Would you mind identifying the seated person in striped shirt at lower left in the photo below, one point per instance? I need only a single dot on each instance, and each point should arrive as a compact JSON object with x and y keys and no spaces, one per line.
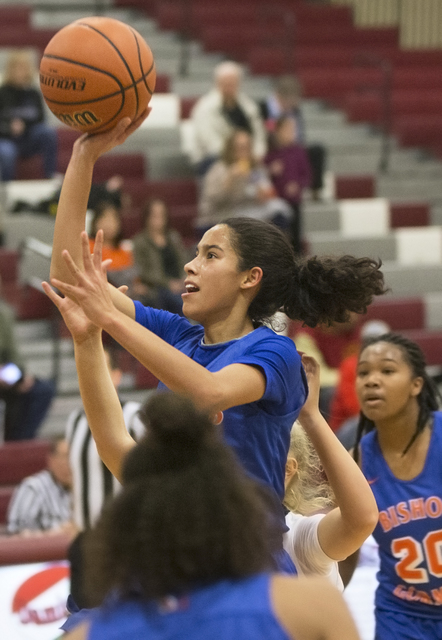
{"x":43,"y":502}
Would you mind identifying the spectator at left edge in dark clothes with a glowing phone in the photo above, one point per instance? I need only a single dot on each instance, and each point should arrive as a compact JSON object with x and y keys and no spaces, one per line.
{"x":27,"y":398}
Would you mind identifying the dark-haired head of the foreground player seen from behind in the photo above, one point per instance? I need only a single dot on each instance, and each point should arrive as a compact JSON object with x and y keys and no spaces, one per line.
{"x":187,"y":514}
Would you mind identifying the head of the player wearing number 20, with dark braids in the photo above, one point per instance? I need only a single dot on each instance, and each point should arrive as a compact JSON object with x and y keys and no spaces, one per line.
{"x":392,"y":381}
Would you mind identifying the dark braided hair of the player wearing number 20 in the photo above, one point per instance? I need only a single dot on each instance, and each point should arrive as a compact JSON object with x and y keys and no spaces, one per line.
{"x":428,"y":399}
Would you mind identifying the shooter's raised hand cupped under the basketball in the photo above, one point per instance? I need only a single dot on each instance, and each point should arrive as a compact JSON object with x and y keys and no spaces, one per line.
{"x":96,"y":144}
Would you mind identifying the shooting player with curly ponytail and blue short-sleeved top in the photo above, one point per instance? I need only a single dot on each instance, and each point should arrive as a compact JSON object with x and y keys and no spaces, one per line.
{"x":227,"y":360}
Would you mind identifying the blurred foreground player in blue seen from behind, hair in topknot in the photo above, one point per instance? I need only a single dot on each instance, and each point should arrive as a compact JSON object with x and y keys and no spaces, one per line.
{"x":186,"y":549}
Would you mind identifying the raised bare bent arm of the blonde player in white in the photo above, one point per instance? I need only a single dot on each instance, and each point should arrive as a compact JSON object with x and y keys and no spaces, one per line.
{"x":343,"y":530}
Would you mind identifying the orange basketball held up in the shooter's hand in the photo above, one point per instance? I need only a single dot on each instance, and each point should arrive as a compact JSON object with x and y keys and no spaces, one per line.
{"x":96,"y":71}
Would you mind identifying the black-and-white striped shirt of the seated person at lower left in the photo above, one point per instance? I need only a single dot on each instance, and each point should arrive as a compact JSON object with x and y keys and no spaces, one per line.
{"x":39,"y":503}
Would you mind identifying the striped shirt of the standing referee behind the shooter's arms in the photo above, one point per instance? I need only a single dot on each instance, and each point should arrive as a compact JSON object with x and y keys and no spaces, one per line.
{"x":92,"y":481}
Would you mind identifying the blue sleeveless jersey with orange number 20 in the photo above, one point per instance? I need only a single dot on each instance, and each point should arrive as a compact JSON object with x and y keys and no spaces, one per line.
{"x":409,"y":529}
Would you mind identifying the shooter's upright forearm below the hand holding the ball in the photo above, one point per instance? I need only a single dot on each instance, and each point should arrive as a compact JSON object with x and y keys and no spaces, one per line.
{"x":71,"y":214}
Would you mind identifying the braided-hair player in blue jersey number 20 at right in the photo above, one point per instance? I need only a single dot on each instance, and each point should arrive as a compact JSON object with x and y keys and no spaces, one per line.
{"x":400,"y":456}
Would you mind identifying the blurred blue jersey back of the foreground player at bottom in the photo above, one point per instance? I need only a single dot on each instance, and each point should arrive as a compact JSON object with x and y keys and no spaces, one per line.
{"x":237,"y":610}
